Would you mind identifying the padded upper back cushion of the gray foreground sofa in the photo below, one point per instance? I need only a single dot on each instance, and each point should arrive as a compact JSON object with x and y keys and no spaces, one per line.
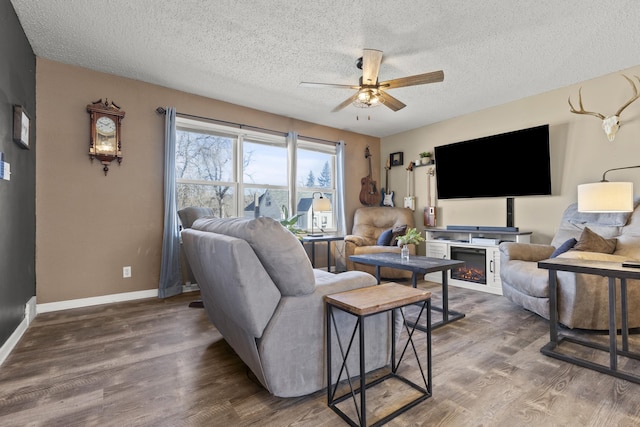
{"x":279,"y":251}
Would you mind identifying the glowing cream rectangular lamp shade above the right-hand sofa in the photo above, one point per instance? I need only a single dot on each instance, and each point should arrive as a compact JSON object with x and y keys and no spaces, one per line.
{"x":605,"y":197}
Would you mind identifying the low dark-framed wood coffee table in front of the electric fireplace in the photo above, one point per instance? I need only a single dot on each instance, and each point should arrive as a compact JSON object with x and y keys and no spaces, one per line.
{"x":417,"y":265}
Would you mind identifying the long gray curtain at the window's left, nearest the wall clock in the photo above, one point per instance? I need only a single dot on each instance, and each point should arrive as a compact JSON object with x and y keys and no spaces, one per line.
{"x":170,"y":275}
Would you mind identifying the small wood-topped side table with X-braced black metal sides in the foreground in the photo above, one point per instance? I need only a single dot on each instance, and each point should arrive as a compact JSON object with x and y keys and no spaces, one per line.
{"x":362,"y":303}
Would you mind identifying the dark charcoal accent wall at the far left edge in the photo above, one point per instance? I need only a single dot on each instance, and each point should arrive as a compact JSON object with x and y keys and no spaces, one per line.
{"x":17,"y":196}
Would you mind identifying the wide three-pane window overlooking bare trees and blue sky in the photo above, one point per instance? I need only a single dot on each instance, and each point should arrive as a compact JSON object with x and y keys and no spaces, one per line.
{"x":241,"y":173}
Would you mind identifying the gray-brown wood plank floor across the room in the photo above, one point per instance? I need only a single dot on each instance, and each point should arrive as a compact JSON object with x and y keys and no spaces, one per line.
{"x":159,"y":363}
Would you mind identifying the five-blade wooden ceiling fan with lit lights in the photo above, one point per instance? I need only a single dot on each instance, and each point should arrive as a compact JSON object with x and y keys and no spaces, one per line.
{"x":370,"y":92}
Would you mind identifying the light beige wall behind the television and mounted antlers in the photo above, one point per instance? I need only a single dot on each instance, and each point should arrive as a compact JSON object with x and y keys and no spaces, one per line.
{"x":580,"y":153}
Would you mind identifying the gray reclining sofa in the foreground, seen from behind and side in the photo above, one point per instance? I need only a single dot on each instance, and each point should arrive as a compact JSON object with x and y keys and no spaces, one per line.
{"x":262,"y":294}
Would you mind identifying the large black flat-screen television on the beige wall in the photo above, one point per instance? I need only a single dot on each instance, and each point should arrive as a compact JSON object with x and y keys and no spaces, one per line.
{"x":505,"y":165}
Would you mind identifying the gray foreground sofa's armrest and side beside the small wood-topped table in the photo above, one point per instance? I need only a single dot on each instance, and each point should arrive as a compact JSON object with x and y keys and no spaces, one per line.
{"x":292,"y":348}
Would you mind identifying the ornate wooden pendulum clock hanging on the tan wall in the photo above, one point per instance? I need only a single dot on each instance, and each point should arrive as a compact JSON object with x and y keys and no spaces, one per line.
{"x":105,"y":132}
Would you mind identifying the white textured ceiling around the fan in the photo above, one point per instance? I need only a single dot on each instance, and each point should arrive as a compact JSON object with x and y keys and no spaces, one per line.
{"x":255,"y":53}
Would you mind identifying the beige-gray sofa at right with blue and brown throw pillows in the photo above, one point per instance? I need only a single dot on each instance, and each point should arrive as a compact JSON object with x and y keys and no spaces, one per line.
{"x":582,"y":298}
